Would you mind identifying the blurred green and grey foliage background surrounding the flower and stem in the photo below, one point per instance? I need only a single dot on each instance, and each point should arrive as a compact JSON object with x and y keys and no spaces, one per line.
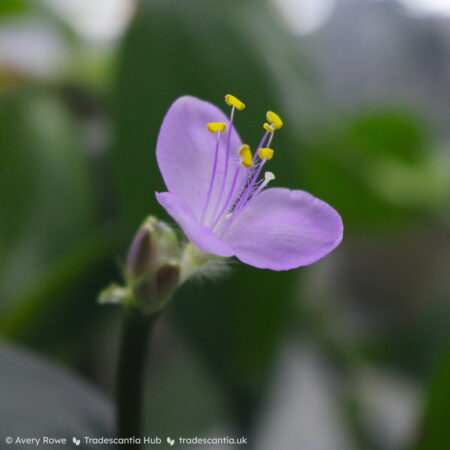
{"x":350,"y":353}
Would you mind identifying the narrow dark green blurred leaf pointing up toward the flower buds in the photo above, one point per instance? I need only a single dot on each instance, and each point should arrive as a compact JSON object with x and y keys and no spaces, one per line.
{"x":40,"y":306}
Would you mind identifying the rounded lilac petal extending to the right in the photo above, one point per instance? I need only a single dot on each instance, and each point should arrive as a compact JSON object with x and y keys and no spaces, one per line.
{"x":283,"y":229}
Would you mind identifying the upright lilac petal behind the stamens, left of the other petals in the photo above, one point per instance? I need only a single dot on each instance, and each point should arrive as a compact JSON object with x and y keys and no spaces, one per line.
{"x":185,"y":152}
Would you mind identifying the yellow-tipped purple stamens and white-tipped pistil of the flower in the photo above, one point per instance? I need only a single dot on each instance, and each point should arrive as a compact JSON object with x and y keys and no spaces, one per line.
{"x":242,"y":190}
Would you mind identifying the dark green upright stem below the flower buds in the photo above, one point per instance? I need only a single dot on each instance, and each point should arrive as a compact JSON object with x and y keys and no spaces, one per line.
{"x":137,"y":328}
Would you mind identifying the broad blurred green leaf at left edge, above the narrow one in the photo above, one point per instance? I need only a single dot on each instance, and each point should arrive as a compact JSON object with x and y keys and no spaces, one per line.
{"x":45,"y":190}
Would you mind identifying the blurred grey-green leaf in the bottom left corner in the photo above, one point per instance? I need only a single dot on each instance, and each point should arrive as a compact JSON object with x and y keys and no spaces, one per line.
{"x":39,"y":399}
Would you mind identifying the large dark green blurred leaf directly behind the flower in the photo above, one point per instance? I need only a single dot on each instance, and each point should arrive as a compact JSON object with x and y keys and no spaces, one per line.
{"x":176,"y":48}
